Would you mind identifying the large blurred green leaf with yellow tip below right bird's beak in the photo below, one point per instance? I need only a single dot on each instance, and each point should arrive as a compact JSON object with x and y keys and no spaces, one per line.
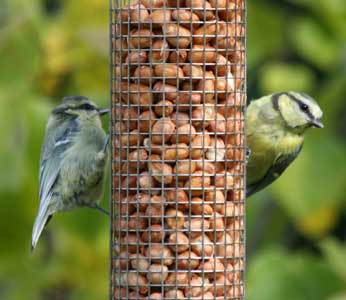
{"x":302,"y":189}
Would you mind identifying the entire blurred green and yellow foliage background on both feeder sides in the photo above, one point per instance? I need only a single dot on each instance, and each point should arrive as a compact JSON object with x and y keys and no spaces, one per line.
{"x":296,"y":228}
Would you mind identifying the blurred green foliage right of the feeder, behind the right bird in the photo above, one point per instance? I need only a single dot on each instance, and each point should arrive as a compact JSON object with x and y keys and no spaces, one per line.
{"x":307,"y":53}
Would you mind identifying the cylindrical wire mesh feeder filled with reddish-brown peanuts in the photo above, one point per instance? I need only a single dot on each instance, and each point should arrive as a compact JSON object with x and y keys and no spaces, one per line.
{"x":178,"y":75}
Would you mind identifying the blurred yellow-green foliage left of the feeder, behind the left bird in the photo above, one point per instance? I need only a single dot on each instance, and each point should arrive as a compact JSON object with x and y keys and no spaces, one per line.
{"x":42,"y":58}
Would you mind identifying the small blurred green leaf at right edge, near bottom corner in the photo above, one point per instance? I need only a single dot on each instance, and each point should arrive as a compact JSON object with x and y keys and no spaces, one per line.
{"x":335,"y":253}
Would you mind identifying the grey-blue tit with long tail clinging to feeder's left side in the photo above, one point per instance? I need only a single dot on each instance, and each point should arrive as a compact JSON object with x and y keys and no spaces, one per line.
{"x":73,"y":160}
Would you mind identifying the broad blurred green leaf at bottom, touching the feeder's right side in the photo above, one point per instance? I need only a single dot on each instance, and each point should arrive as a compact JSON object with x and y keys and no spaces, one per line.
{"x":276,"y":274}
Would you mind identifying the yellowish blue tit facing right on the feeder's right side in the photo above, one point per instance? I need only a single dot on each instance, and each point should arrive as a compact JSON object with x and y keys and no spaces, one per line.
{"x":275,"y":134}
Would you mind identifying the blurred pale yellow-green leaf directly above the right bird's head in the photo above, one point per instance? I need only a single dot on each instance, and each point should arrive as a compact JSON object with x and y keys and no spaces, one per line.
{"x":276,"y":77}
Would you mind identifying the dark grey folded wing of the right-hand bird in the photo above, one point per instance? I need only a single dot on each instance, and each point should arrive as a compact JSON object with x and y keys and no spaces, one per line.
{"x":279,"y":166}
